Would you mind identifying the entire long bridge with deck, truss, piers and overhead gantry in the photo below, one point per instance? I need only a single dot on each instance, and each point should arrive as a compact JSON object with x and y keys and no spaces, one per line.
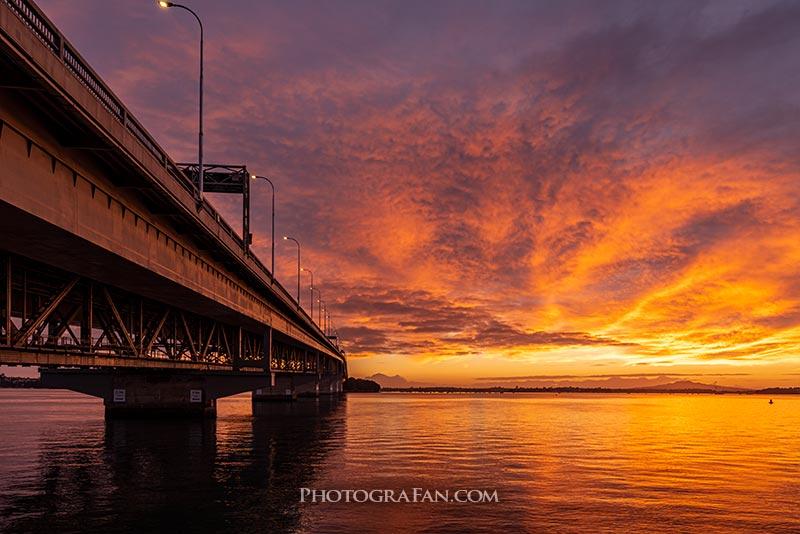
{"x":116,"y":280}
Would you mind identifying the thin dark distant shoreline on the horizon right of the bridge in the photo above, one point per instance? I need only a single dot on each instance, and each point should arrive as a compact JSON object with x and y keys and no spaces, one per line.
{"x":765,"y":391}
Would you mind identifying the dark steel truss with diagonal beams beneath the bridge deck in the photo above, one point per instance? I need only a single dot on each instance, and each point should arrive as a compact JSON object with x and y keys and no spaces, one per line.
{"x":45,"y":309}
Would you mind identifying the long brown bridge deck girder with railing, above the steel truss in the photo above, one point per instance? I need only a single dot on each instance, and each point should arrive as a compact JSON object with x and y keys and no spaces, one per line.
{"x":84,"y":188}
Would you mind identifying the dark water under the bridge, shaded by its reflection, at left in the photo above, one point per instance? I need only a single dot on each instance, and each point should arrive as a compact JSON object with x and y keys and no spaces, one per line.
{"x":65,"y":469}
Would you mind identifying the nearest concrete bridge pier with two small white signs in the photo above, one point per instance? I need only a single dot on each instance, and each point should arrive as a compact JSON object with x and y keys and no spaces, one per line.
{"x":152,"y":393}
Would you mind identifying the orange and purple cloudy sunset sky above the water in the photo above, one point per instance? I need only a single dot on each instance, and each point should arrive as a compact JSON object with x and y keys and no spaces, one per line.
{"x":504,"y":191}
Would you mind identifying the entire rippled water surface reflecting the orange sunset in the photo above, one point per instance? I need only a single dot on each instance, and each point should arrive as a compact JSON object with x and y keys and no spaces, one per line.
{"x":576,"y":463}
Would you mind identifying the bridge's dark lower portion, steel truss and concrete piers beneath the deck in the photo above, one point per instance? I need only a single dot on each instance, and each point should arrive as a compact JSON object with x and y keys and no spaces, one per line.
{"x":141,"y":356}
